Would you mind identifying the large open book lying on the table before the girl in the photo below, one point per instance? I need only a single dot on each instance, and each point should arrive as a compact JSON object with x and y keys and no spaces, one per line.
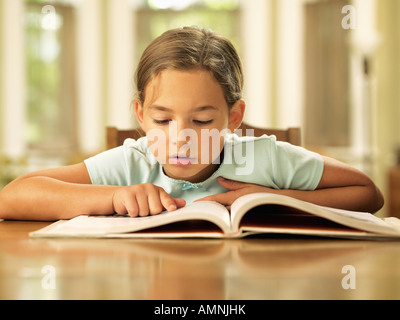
{"x":257,"y":213}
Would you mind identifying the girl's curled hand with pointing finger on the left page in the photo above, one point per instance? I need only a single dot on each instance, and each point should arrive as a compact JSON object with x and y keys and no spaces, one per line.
{"x":144,"y":199}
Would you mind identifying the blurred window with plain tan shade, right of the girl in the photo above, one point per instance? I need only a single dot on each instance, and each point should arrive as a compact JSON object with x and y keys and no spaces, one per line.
{"x":327,"y":66}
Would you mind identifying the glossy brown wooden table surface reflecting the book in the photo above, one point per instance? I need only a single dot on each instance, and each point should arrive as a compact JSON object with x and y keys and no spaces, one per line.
{"x":253,"y":268}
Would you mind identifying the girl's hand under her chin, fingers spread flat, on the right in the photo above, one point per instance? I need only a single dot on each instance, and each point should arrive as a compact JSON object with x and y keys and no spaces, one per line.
{"x":237,"y":189}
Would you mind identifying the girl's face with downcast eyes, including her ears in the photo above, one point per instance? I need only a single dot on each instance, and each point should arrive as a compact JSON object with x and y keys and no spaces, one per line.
{"x":185,"y":117}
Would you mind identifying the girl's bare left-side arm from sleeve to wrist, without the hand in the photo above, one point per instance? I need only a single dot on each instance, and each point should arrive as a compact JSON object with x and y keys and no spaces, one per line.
{"x":59,"y":193}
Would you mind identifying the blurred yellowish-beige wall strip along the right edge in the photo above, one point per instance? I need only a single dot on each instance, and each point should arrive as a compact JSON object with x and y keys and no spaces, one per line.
{"x":387,"y":68}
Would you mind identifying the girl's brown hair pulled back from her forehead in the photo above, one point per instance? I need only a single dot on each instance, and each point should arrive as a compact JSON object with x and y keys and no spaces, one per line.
{"x":192,"y":48}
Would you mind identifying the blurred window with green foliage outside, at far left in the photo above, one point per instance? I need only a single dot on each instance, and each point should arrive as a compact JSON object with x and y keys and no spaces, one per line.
{"x":50,"y":77}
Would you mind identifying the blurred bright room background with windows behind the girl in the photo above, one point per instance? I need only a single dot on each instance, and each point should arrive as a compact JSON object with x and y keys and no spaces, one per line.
{"x":330,"y":67}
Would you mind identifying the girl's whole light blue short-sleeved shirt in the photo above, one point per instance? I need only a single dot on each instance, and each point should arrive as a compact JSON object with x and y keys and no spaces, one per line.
{"x":261,"y":160}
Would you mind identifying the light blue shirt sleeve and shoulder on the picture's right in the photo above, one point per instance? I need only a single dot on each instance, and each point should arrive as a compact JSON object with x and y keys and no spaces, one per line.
{"x":271,"y":163}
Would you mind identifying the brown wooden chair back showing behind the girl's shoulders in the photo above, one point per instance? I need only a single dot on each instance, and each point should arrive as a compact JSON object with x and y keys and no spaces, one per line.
{"x":116,"y":137}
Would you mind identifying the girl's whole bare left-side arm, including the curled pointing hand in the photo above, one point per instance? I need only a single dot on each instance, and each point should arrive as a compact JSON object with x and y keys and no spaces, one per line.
{"x":66,"y":192}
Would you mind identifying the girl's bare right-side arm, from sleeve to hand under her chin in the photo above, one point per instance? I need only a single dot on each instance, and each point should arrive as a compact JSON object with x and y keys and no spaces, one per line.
{"x":341,"y":186}
